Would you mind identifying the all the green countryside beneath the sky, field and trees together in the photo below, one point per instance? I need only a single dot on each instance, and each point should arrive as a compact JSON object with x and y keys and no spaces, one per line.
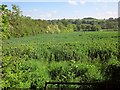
{"x":67,"y":50}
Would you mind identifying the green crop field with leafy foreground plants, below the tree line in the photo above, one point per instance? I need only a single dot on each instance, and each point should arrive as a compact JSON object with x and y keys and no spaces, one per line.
{"x":68,"y":57}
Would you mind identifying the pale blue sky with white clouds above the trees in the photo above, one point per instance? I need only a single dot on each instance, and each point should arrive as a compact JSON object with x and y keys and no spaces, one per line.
{"x":59,"y":9}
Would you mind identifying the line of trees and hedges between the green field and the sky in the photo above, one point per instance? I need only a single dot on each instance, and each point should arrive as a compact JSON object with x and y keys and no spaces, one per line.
{"x":20,"y":26}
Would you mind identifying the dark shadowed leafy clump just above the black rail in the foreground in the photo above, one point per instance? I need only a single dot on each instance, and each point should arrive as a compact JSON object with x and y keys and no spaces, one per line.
{"x":74,"y":72}
